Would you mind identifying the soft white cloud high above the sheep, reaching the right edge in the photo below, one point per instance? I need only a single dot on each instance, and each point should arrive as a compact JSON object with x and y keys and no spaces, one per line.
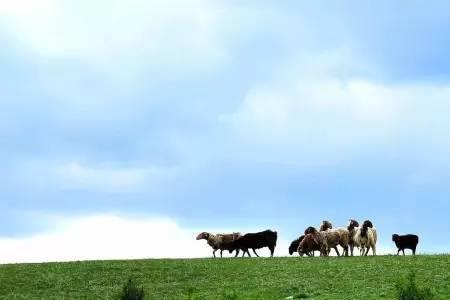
{"x":317,"y":116}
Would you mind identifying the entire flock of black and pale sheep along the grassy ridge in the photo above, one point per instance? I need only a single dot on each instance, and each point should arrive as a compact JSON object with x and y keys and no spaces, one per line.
{"x":325,"y":239}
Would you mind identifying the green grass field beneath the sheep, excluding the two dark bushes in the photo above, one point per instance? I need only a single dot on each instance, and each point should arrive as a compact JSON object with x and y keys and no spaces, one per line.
{"x":263,"y":278}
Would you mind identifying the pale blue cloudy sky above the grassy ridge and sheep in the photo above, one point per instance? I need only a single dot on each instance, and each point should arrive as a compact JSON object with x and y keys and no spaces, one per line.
{"x":155,"y":120}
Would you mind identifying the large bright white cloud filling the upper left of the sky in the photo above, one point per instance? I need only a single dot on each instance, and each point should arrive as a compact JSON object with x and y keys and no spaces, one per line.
{"x":93,"y":60}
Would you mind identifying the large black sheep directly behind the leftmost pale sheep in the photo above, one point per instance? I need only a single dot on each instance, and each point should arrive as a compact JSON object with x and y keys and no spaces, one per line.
{"x":267,"y":238}
